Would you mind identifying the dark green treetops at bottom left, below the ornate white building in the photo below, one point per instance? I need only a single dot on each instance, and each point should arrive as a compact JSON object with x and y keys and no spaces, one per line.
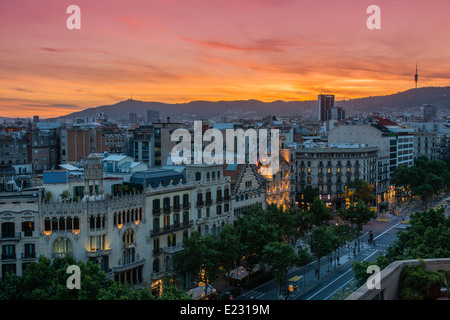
{"x":47,"y":280}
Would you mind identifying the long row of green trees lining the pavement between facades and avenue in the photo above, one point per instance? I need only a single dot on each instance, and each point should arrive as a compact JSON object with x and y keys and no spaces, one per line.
{"x":268,"y":238}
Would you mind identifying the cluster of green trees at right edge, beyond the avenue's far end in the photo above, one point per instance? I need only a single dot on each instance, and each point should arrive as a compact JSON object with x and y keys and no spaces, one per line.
{"x":426,"y":178}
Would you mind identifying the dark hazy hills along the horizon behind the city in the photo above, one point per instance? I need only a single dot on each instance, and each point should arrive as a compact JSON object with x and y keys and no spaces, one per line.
{"x":401,"y":102}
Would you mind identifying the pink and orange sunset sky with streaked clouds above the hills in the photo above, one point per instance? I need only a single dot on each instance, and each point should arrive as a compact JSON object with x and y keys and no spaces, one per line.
{"x":183,"y":50}
